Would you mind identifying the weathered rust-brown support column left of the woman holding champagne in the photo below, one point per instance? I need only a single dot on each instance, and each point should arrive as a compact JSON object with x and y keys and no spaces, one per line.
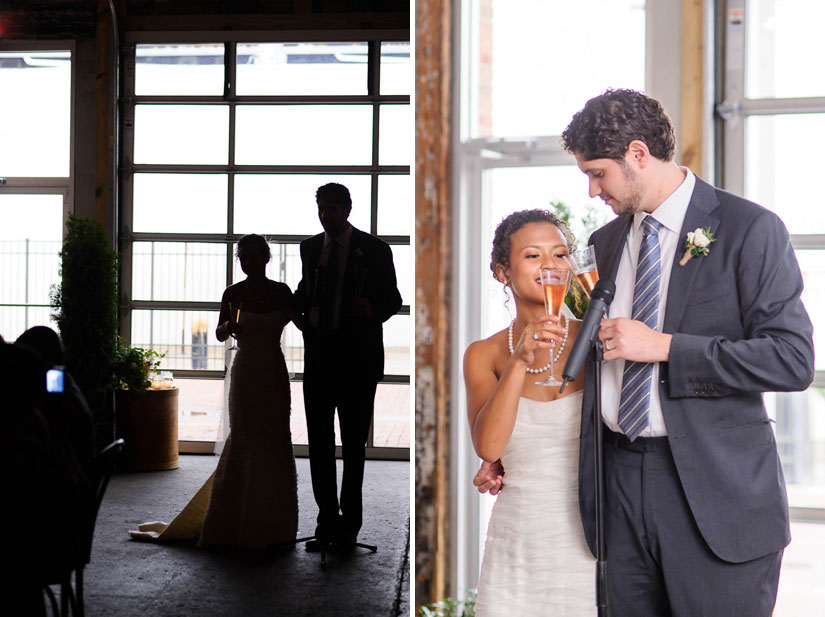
{"x":432,"y":292}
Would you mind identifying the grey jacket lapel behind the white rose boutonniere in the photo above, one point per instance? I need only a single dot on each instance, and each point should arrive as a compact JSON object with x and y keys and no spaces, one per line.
{"x":702,"y":202}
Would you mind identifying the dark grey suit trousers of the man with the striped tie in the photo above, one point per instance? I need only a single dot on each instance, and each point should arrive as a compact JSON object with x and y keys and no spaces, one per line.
{"x":659,"y":565}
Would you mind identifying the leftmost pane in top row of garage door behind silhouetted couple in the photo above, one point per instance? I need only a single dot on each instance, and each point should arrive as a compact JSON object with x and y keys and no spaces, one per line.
{"x":179,"y":69}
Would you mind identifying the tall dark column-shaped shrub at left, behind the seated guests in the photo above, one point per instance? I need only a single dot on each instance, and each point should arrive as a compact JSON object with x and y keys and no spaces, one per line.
{"x":85,"y":303}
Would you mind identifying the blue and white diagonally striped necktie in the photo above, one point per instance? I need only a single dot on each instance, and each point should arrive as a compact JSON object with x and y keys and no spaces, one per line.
{"x":635,"y":398}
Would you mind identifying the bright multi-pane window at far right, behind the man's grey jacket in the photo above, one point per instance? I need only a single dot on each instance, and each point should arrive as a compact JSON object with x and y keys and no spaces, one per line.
{"x":773,"y":113}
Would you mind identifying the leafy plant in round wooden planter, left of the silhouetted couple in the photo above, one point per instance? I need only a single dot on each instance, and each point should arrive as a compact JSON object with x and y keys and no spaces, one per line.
{"x":146,"y":418}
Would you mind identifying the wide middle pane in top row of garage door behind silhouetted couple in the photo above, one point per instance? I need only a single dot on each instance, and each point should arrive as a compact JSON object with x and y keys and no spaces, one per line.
{"x":302,"y":68}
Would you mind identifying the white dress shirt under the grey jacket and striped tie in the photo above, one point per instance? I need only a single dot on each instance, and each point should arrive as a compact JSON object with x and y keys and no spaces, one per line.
{"x":671,"y":214}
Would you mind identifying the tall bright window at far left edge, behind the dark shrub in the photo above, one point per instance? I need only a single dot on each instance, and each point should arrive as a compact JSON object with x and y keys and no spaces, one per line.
{"x":36,"y":81}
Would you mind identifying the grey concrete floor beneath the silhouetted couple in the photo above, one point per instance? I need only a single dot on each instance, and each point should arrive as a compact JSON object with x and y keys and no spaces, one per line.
{"x":127,"y":578}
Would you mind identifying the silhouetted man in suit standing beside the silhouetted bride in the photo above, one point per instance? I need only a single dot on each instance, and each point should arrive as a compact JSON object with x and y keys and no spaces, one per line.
{"x":348,"y":290}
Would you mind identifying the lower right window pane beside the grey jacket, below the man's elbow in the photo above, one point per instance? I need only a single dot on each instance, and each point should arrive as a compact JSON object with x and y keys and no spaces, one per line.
{"x":800,"y":435}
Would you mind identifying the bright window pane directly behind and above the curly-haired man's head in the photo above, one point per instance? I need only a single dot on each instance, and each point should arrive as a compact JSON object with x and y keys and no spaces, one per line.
{"x":533,"y":38}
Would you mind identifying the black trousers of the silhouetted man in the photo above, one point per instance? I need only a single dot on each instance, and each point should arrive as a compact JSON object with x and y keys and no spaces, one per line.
{"x":338,"y":387}
